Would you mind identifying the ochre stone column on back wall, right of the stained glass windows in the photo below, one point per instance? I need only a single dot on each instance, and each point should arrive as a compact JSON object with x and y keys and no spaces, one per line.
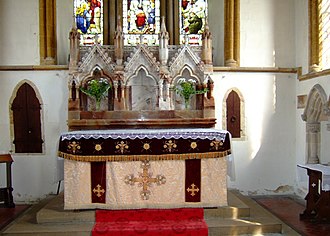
{"x":231,"y":37}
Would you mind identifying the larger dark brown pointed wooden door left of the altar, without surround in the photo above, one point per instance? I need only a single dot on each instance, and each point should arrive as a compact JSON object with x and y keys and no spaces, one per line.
{"x":27,"y":124}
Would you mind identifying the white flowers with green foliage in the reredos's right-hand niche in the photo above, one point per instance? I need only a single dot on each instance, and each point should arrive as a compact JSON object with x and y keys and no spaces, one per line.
{"x":186,"y":89}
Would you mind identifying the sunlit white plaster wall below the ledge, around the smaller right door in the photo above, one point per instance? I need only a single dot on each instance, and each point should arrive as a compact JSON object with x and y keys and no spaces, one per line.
{"x":265,"y":158}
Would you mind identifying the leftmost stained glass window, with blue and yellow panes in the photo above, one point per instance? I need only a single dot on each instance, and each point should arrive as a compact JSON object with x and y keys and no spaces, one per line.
{"x":89,"y":20}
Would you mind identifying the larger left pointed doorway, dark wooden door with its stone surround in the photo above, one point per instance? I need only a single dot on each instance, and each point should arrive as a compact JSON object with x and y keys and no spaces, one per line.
{"x":26,"y":118}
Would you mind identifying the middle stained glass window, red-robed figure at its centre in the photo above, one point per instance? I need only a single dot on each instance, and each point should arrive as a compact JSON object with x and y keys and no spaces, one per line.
{"x":141,"y":21}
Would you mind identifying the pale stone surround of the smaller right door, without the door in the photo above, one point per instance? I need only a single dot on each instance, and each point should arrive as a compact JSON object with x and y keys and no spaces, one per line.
{"x":242,"y":111}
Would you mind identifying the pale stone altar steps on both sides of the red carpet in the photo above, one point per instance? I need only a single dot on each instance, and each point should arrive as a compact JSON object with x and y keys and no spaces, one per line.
{"x":236,"y":219}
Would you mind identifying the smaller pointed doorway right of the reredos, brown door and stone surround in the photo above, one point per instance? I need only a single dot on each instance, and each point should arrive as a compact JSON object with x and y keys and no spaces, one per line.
{"x":233,"y":113}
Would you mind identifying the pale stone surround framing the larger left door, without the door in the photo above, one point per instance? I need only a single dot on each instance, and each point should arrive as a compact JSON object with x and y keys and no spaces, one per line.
{"x":11,"y":115}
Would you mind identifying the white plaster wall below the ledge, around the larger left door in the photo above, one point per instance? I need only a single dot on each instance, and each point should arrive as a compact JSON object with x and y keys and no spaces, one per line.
{"x":35,"y":175}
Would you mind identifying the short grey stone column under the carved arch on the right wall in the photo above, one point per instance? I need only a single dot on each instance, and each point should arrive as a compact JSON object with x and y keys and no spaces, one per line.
{"x":313,"y":142}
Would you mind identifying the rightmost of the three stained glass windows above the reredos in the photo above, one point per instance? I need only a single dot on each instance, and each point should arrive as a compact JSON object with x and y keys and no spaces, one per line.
{"x":193,"y":14}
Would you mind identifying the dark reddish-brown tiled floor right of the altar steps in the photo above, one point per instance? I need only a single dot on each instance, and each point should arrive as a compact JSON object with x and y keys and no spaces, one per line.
{"x":288,"y":209}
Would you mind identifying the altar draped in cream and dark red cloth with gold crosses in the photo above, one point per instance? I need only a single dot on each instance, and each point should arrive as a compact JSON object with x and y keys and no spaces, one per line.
{"x":145,"y":168}
